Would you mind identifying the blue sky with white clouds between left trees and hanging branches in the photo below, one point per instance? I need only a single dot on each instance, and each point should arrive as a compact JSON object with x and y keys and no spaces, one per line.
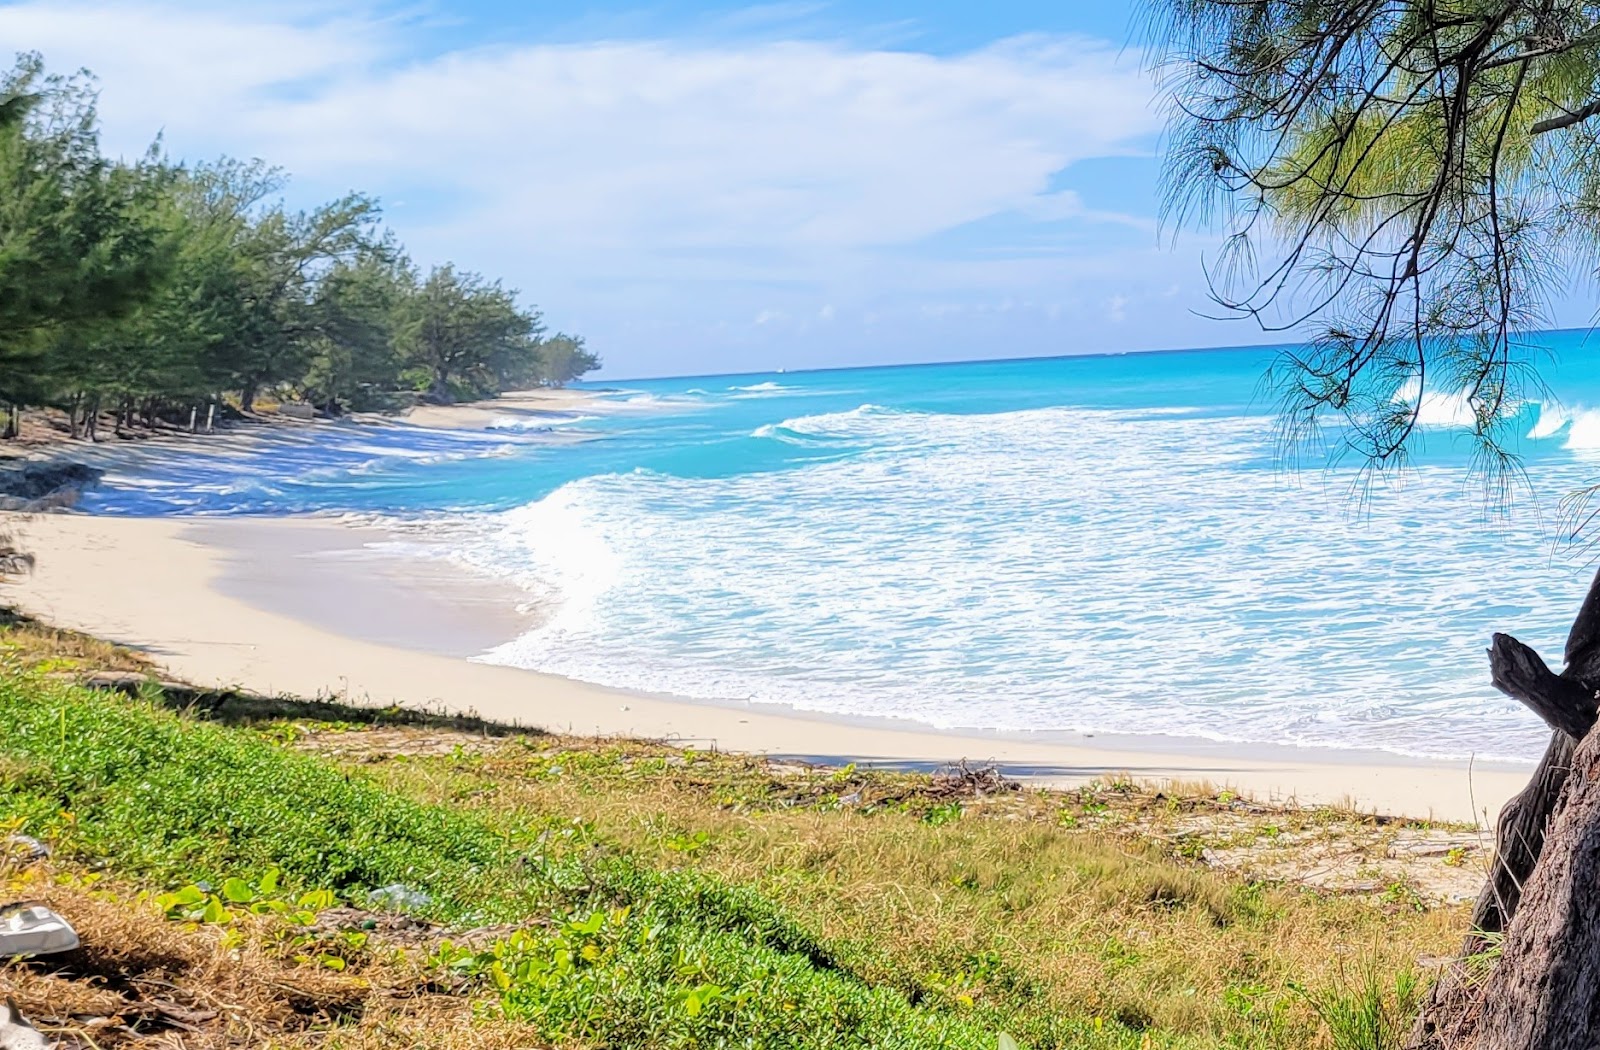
{"x":702,"y":188}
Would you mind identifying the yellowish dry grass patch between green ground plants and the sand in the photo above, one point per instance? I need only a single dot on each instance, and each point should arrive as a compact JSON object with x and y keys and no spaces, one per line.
{"x":1095,"y":900}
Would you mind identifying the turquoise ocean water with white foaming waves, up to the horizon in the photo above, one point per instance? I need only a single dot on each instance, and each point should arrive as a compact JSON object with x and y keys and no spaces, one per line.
{"x":1070,"y":545}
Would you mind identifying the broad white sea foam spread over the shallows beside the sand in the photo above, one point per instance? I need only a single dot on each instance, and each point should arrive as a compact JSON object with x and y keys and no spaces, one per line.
{"x":1036,"y":572}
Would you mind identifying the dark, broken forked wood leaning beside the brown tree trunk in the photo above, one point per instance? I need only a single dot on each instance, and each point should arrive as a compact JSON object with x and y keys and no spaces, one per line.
{"x":1567,"y":703}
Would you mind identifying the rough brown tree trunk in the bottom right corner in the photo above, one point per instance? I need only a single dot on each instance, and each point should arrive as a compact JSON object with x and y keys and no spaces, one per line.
{"x":1545,"y":993}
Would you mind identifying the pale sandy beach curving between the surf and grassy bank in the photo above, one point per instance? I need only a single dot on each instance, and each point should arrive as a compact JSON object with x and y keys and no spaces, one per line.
{"x":302,"y":606}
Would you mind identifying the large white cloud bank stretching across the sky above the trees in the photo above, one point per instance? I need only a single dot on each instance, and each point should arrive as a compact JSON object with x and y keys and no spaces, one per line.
{"x":631,"y":175}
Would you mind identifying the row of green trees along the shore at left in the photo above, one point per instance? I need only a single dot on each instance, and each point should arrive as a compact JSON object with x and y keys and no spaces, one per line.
{"x":151,"y":289}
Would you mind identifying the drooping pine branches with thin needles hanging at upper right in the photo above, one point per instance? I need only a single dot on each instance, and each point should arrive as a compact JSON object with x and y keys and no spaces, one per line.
{"x":1404,"y":180}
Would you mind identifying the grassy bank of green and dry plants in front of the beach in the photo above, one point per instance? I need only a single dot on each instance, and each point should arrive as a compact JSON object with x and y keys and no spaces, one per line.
{"x":620,"y":894}
